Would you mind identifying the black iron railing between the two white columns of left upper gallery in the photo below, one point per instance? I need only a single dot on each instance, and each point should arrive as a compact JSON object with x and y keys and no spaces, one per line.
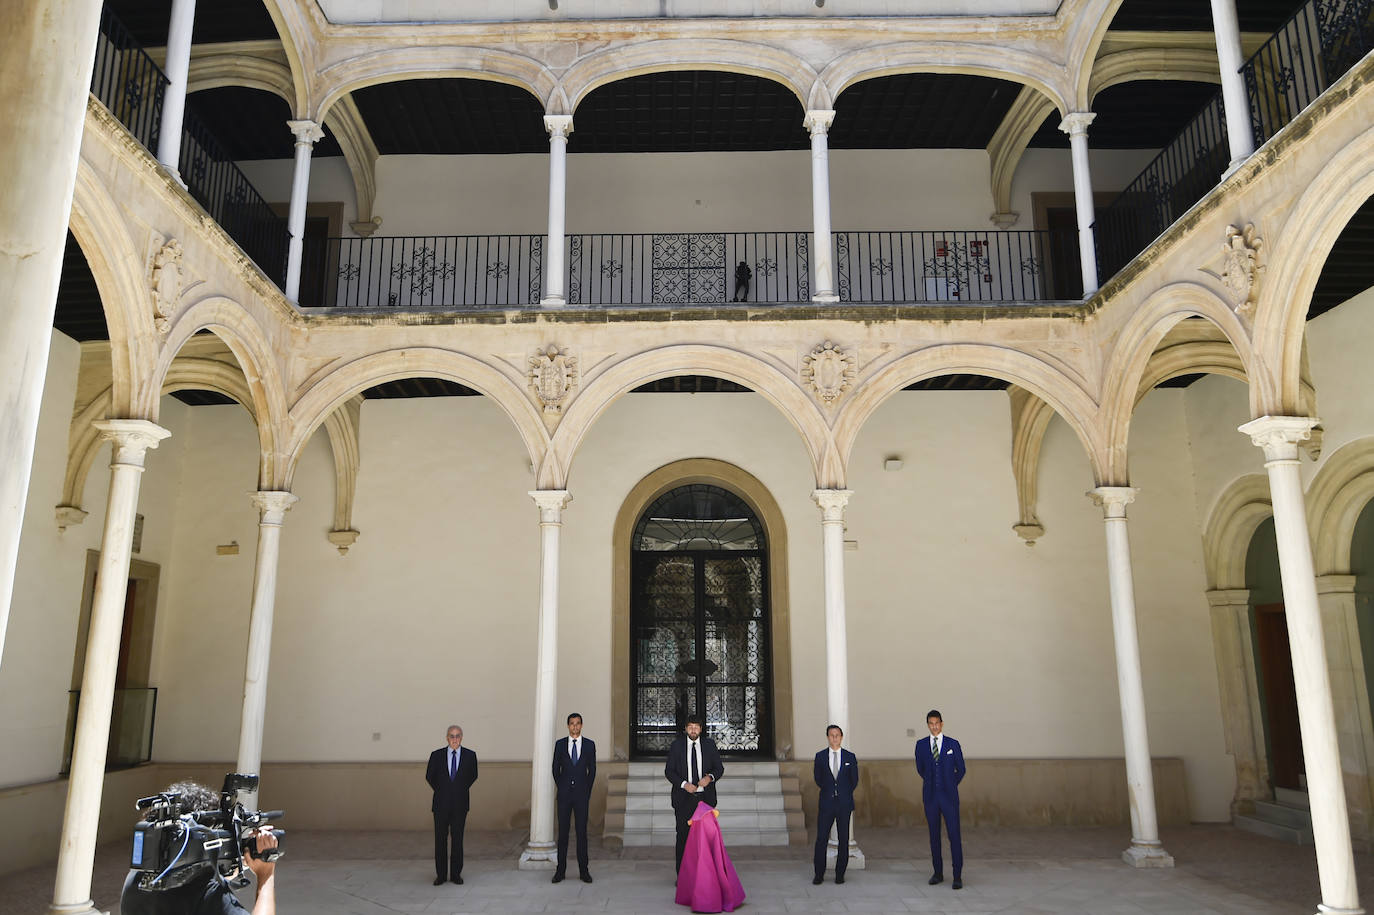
{"x":232,"y":200}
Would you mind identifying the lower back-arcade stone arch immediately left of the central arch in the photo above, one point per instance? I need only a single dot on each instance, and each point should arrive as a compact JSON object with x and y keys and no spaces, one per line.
{"x":335,"y":389}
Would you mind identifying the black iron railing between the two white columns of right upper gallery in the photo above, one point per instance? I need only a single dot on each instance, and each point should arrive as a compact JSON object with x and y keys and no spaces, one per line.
{"x":1178,"y":178}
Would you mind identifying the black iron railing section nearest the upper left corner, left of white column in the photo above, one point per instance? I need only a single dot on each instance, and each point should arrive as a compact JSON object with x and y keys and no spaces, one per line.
{"x":128,"y":82}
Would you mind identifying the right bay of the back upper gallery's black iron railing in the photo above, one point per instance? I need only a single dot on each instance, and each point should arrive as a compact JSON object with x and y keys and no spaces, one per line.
{"x":950,"y":266}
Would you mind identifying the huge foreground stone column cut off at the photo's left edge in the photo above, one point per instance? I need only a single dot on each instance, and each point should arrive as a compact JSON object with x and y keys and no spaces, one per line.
{"x":47,"y":52}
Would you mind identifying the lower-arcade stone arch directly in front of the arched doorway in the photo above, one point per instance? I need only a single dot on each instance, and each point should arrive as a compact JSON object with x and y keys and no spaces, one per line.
{"x":761,"y":377}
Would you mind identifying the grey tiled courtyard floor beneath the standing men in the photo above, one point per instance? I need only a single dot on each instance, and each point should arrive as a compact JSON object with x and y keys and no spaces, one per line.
{"x":1008,"y":870}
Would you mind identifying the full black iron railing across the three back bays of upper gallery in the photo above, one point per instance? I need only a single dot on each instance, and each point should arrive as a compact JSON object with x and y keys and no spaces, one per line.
{"x":689,"y":269}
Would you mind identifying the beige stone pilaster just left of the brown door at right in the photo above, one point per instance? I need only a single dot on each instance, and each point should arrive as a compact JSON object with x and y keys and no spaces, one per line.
{"x":1241,"y":718}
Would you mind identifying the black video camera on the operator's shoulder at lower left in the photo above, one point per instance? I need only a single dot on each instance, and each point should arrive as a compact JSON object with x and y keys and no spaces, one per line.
{"x":170,"y":844}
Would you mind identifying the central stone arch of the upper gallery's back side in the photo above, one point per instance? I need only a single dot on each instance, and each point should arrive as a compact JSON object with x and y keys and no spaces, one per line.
{"x":688,"y":54}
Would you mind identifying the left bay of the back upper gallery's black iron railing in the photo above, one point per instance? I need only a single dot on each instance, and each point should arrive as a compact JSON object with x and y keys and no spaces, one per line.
{"x":429,"y":271}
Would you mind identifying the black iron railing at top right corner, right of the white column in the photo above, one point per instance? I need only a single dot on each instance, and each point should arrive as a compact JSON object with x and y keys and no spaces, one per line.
{"x":1313,"y":50}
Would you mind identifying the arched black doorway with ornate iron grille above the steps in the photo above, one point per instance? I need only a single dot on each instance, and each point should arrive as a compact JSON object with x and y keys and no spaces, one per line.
{"x":700,"y":623}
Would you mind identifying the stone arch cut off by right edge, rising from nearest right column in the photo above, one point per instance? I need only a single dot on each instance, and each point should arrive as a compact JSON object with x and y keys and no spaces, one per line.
{"x":1298,"y":255}
